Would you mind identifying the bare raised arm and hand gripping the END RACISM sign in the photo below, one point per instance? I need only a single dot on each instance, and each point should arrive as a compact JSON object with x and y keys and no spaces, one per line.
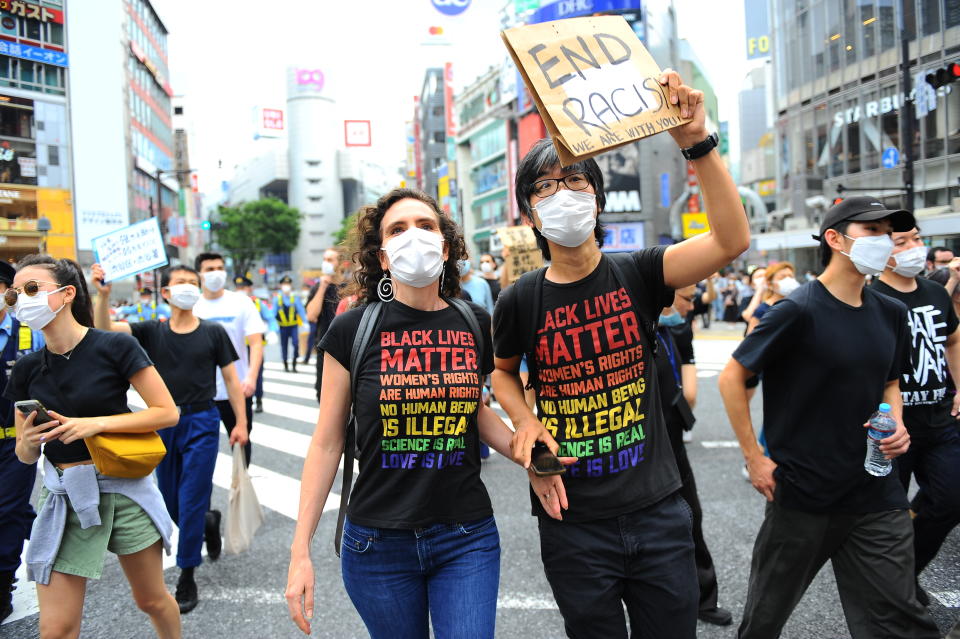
{"x":692,"y":260}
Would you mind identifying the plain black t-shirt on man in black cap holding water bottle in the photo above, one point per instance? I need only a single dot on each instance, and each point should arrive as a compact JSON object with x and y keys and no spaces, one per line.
{"x":825,"y":365}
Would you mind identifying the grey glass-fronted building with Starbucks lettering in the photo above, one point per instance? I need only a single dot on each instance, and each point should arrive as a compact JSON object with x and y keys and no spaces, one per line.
{"x":841,"y":112}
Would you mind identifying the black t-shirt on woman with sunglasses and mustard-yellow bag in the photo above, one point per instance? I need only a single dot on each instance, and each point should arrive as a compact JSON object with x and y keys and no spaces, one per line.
{"x":92,"y":383}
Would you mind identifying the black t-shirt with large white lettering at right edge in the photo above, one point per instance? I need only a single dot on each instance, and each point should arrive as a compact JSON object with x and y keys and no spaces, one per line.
{"x":925,"y":387}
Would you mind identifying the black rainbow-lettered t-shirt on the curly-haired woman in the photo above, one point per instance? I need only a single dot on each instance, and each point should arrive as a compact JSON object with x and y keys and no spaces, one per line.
{"x":416,"y":403}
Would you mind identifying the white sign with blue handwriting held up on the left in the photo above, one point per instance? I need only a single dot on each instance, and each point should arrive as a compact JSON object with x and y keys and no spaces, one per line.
{"x":130,"y":250}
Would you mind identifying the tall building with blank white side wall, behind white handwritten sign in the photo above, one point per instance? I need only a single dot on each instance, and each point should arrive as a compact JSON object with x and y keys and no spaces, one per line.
{"x":121,"y":49}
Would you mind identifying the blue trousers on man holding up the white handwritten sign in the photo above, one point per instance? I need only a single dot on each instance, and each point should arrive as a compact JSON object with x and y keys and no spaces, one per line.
{"x":185,"y":478}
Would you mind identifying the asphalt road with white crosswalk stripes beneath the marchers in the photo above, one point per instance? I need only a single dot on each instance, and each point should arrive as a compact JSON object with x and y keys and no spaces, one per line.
{"x":241,"y":596}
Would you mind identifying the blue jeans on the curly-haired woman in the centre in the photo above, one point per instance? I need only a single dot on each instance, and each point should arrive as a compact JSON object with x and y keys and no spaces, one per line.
{"x":398,"y":580}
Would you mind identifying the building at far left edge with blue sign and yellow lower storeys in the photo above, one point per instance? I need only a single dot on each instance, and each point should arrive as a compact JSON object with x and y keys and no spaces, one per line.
{"x":35,"y":153}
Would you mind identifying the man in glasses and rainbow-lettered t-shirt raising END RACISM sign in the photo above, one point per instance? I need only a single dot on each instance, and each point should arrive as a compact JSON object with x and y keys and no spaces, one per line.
{"x":613,"y":529}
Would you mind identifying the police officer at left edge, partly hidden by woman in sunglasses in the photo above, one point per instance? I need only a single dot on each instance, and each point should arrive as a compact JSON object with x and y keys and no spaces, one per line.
{"x":16,"y":478}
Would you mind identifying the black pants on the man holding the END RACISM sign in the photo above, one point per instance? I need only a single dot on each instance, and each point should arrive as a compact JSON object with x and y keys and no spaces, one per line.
{"x":643,"y":559}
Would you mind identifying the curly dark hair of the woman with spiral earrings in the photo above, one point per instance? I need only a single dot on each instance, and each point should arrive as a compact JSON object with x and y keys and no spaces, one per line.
{"x":365,"y":243}
